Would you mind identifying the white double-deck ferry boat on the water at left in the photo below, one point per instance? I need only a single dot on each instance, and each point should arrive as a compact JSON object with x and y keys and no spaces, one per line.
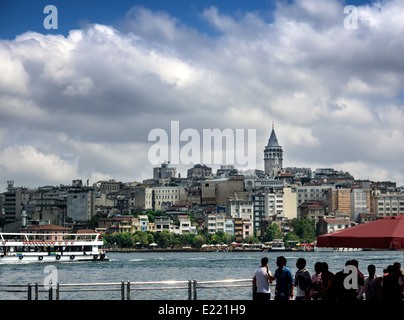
{"x":45,"y":247}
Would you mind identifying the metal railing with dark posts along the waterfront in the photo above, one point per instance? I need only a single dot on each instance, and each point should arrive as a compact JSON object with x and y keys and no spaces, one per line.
{"x":126,"y":290}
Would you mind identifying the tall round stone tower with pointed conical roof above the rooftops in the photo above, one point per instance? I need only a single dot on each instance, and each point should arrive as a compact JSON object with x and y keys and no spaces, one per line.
{"x":273,"y":156}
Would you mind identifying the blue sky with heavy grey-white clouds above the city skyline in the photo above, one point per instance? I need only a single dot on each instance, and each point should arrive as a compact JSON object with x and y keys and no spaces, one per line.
{"x":80,"y":101}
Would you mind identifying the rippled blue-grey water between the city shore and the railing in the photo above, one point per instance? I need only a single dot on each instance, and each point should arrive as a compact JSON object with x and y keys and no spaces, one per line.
{"x":158,"y":266}
